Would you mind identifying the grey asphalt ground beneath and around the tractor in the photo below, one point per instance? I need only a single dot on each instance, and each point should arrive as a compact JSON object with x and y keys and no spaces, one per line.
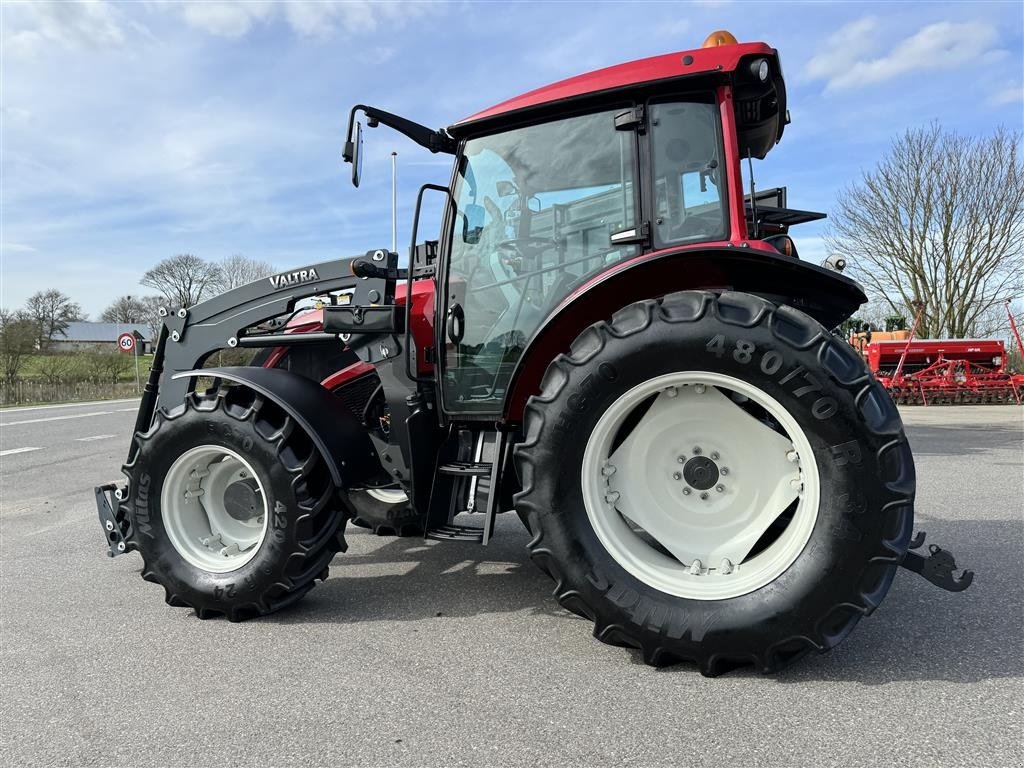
{"x":449,"y":655}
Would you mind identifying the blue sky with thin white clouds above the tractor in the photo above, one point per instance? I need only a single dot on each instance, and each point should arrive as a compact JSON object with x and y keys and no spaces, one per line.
{"x":135,"y":132}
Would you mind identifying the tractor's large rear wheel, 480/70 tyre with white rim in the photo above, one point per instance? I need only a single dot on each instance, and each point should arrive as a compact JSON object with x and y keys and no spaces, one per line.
{"x":681,"y":575}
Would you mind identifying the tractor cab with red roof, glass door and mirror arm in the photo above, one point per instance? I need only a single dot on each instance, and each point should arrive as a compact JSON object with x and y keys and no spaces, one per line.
{"x":559,"y":186}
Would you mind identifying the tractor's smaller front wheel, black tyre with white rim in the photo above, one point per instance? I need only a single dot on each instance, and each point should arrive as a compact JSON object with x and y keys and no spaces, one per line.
{"x":296,"y":497}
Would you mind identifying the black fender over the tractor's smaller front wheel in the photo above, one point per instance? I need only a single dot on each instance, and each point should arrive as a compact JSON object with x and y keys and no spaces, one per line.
{"x":340,"y":439}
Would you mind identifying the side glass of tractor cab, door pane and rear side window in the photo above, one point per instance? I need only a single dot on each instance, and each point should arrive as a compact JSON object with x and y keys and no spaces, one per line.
{"x":537,"y":208}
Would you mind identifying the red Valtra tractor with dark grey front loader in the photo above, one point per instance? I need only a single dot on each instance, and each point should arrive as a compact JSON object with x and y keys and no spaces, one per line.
{"x":609,"y":337}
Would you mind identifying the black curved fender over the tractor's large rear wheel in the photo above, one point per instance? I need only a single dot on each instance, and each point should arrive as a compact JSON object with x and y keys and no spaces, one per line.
{"x":826,"y":295}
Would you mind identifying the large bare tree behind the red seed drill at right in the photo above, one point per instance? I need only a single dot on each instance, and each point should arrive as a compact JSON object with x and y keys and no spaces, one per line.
{"x":940,"y":220}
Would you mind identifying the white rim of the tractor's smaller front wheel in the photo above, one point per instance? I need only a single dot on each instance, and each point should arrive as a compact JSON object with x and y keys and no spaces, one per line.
{"x":195,"y":515}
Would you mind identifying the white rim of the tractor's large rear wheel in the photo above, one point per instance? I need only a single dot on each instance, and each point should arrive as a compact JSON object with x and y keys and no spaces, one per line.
{"x":711,"y":494}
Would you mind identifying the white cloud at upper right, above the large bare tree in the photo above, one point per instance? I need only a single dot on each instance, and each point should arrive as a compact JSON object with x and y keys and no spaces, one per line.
{"x":851,"y":58}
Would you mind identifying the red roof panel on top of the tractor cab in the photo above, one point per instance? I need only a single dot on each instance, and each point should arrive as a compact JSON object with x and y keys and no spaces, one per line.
{"x":721,"y":59}
